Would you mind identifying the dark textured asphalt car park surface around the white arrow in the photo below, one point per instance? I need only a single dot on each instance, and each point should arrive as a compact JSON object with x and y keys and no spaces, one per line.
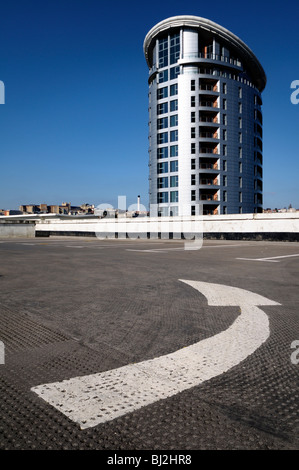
{"x":72,"y":307}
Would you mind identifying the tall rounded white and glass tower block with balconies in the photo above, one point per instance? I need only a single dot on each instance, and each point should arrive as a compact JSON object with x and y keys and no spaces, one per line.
{"x":205,"y":119}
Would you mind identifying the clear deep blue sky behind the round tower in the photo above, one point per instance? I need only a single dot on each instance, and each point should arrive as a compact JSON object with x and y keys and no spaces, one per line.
{"x":74,"y":124}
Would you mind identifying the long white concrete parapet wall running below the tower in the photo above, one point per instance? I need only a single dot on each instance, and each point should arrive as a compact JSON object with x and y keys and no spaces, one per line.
{"x":241,"y":226}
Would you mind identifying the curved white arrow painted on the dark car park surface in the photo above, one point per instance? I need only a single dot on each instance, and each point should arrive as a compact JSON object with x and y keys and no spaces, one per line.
{"x":97,"y":398}
